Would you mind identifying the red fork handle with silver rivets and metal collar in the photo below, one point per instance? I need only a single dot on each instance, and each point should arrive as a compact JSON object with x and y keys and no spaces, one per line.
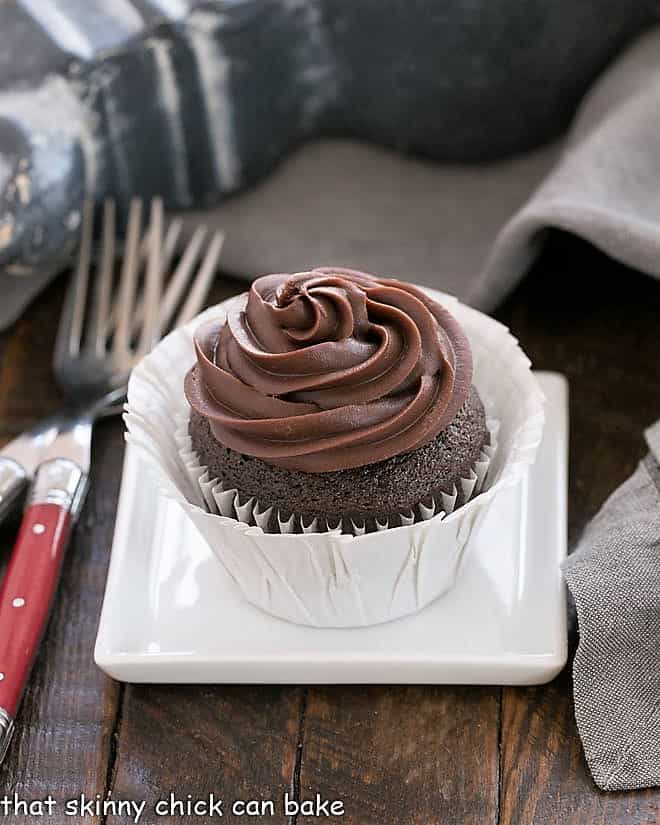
{"x":30,"y":583}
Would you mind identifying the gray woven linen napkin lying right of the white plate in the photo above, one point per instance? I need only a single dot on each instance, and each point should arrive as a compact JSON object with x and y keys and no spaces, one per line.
{"x":614,"y":578}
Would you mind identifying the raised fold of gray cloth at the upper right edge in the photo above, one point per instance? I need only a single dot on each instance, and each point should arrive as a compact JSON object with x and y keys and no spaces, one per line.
{"x":605,"y":185}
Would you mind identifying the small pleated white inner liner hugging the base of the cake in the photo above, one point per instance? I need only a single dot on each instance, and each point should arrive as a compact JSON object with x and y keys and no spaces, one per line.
{"x":229,"y":502}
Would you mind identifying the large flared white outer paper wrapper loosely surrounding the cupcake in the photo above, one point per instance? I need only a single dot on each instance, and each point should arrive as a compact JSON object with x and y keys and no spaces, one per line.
{"x":331,"y":579}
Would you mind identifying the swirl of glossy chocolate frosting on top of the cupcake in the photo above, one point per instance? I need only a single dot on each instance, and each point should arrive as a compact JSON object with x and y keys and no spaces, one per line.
{"x":329,"y":369}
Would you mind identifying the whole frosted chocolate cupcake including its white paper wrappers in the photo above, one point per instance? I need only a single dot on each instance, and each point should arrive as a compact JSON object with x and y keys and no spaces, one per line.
{"x":333,"y":393}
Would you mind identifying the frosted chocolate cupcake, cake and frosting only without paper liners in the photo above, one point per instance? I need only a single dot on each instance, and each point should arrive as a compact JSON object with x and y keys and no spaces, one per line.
{"x":333,"y":396}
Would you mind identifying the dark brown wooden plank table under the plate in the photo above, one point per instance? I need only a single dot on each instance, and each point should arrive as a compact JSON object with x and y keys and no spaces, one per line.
{"x":399,"y":755}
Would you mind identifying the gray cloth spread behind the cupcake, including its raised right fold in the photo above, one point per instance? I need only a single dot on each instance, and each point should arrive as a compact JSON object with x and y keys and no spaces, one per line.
{"x":451,"y":226}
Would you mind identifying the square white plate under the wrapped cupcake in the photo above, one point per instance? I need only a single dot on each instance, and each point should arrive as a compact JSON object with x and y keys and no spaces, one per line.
{"x":172,"y":614}
